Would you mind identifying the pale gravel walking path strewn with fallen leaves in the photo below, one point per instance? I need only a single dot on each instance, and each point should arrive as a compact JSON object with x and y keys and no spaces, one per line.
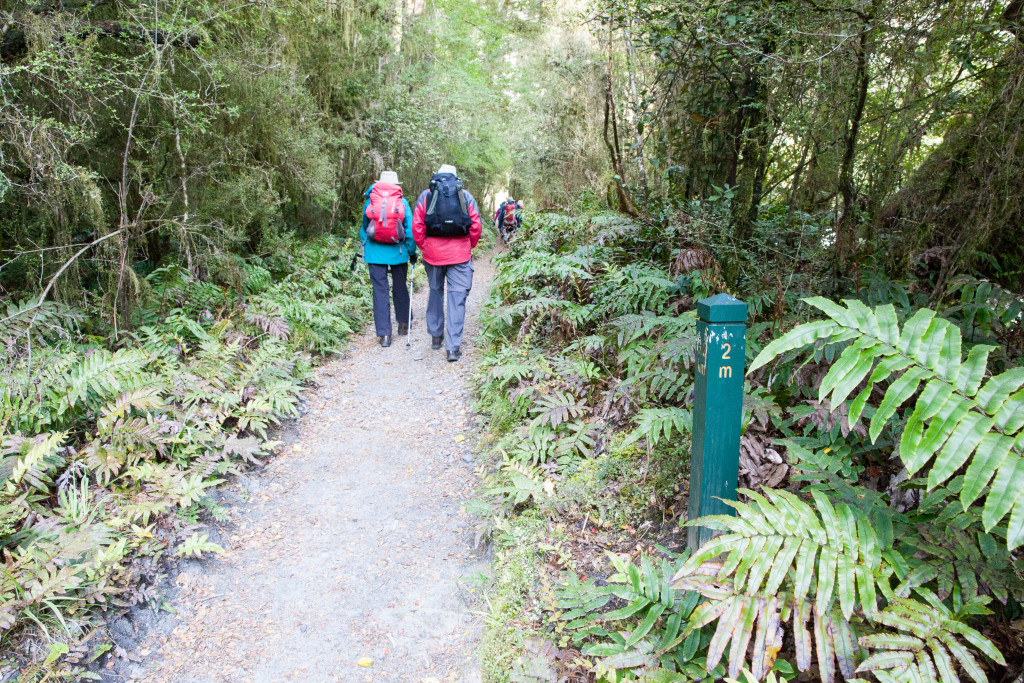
{"x":354,"y":543}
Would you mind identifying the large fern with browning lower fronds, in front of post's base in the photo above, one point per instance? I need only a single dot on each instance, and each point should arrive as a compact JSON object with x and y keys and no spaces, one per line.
{"x":787,"y":561}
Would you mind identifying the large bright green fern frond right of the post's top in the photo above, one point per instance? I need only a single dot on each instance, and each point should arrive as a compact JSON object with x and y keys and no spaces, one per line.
{"x":959,"y":417}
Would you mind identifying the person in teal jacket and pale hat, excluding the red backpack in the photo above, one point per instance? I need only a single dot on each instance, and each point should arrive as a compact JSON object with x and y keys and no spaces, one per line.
{"x":380,"y":259}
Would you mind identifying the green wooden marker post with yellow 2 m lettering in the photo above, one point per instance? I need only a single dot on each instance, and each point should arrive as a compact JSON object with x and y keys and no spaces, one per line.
{"x":718,"y":408}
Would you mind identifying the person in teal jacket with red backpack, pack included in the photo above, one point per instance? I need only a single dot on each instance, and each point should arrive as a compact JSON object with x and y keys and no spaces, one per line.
{"x":388,"y":245}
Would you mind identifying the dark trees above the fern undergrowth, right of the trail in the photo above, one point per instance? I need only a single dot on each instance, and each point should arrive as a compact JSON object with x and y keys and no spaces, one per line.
{"x":897,"y":123}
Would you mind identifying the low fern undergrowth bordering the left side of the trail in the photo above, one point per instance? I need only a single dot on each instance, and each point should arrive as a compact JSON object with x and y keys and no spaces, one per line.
{"x":111,"y":443}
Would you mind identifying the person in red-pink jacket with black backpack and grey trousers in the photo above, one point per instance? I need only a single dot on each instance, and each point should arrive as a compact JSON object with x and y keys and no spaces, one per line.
{"x":447,"y":227}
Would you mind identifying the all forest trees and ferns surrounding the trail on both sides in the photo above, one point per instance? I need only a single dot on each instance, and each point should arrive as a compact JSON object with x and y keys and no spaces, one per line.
{"x":180,"y":185}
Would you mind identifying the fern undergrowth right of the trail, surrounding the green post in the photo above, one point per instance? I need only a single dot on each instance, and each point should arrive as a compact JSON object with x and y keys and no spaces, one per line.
{"x":881,"y":513}
